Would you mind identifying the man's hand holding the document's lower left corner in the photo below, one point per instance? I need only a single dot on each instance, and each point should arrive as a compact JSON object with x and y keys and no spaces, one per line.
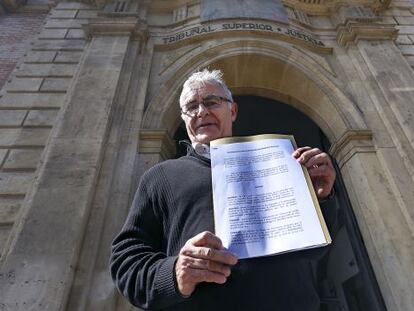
{"x":202,"y":259}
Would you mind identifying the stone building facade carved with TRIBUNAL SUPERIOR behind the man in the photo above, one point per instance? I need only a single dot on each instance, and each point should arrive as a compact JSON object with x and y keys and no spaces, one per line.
{"x":93,"y":104}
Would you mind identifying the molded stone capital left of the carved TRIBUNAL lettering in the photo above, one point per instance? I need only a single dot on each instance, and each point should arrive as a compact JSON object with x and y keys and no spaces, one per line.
{"x":114,"y":26}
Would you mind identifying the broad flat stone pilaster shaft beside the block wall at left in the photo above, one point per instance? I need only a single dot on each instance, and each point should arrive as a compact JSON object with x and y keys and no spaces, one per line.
{"x":38,"y":271}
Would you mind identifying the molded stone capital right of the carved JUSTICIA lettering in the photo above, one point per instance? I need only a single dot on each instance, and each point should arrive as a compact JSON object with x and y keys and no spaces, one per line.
{"x":352,"y":31}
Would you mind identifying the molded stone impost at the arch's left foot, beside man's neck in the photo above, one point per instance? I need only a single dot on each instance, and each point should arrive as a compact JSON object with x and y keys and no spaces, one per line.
{"x":156,"y":141}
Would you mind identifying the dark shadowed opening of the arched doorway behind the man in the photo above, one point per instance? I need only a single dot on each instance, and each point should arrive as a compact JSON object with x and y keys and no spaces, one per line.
{"x":343,"y":274}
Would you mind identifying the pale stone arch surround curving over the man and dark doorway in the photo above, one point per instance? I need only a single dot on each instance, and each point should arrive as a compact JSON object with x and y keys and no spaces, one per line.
{"x":304,"y":80}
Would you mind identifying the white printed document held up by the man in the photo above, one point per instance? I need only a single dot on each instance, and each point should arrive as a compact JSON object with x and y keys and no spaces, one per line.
{"x":264,"y":202}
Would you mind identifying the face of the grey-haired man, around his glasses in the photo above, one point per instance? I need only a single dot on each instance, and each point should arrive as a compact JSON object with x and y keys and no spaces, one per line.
{"x":208,"y":125}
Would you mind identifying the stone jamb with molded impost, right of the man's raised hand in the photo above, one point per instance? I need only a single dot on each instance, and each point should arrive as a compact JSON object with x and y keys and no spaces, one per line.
{"x":381,"y":215}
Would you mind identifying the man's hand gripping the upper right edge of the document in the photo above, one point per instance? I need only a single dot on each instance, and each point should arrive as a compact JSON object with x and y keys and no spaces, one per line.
{"x":320,"y":169}
